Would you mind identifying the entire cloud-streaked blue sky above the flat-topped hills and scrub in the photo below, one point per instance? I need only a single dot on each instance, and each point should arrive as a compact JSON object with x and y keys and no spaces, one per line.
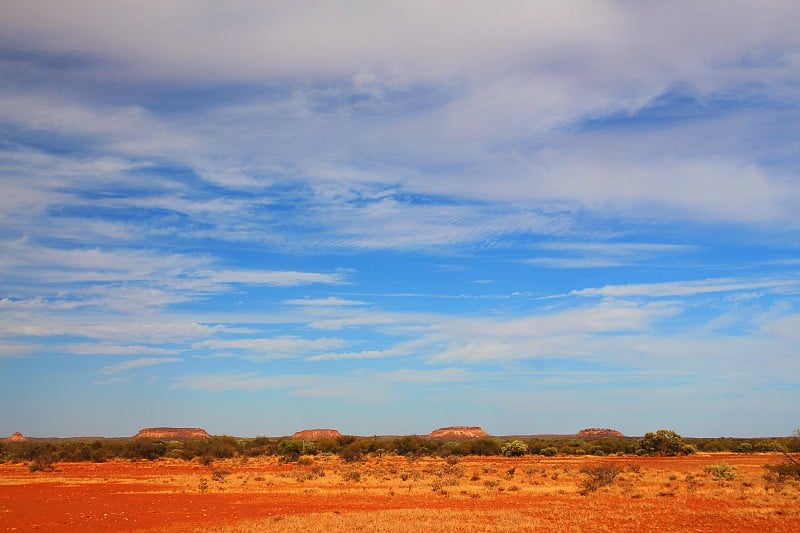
{"x":259,"y":217}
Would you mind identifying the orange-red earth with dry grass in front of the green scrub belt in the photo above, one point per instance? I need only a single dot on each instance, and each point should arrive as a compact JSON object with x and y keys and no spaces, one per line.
{"x":391,"y":494}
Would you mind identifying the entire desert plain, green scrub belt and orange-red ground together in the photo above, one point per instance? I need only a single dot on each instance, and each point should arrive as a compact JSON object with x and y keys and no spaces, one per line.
{"x":384,"y":483}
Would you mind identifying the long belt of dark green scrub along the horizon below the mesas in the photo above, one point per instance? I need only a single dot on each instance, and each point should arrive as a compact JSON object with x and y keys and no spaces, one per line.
{"x":45,"y":452}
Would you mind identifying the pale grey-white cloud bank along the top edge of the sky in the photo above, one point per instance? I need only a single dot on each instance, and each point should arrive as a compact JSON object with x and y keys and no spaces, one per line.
{"x":417,"y":39}
